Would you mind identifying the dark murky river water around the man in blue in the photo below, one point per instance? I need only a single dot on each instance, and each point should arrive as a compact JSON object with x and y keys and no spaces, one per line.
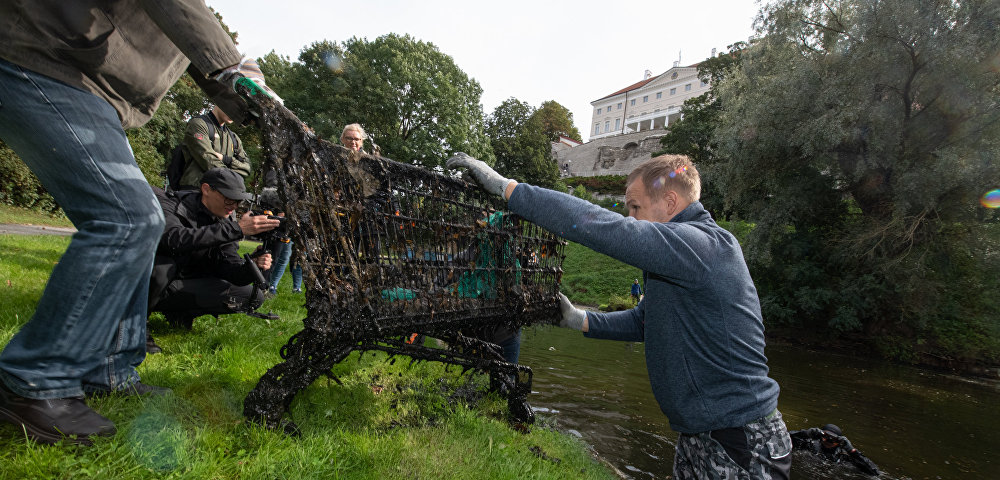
{"x":913,"y":423}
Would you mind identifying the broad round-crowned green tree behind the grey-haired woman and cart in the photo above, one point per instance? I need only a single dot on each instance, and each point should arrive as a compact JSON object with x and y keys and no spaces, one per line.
{"x":412,"y":99}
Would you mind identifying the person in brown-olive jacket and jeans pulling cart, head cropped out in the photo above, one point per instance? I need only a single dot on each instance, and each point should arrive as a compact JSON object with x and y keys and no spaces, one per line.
{"x":73,"y":76}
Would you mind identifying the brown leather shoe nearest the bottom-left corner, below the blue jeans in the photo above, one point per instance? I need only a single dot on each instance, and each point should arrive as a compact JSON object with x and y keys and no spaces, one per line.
{"x":52,"y":420}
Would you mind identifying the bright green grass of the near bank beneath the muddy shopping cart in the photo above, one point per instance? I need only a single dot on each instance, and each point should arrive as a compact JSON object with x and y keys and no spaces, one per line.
{"x":387,"y":420}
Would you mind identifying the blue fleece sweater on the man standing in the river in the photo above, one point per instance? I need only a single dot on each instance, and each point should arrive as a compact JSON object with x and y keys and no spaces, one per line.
{"x":700,"y":318}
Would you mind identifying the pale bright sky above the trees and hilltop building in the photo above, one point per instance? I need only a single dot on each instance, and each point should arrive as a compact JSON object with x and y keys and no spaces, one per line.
{"x":573,"y":52}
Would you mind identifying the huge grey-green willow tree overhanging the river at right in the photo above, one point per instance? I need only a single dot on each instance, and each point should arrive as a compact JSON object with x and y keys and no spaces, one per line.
{"x":858,"y":135}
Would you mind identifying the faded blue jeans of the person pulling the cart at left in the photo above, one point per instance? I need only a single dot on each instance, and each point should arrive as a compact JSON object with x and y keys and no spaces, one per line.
{"x":89,"y":328}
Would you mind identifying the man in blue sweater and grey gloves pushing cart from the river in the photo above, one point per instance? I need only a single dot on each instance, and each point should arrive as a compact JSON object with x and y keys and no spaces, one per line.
{"x":700,"y":317}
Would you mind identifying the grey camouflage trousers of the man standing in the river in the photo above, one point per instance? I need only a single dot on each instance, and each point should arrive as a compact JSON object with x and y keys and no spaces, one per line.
{"x":759,"y":450}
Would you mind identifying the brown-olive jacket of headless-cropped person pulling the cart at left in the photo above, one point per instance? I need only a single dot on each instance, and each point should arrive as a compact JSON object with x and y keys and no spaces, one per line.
{"x":128,"y":52}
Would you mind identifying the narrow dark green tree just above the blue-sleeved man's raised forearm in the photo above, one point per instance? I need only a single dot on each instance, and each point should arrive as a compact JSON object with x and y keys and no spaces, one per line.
{"x":522,"y":149}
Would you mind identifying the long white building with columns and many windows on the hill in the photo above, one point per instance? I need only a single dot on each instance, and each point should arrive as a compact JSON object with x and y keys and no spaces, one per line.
{"x":651,"y":104}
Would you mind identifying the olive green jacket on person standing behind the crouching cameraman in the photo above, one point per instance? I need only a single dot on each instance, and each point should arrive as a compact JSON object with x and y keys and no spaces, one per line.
{"x":201,"y":149}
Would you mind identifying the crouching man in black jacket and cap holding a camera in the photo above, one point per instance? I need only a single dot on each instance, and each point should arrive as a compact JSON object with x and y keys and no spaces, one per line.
{"x":198,"y":269}
